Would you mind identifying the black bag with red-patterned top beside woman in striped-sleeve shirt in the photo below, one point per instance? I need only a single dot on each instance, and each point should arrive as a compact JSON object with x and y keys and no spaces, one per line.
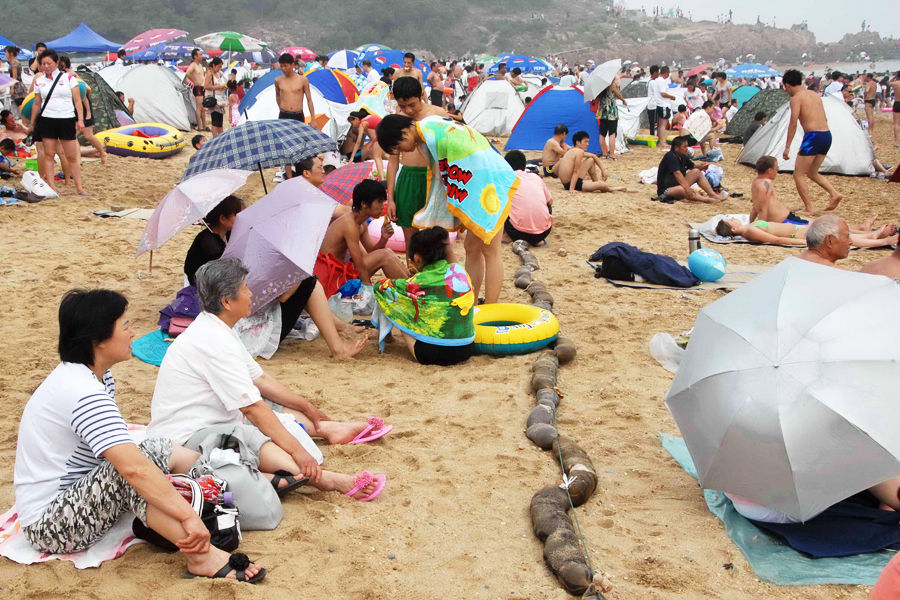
{"x":207,"y":496}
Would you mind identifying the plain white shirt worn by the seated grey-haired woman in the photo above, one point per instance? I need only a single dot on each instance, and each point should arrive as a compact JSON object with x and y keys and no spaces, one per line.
{"x":204,"y":380}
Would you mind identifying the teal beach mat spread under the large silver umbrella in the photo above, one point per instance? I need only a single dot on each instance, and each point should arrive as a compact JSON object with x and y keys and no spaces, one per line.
{"x":771,"y":560}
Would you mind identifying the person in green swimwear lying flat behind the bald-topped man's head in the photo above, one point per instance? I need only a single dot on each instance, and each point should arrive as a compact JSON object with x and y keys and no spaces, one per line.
{"x":795,"y":235}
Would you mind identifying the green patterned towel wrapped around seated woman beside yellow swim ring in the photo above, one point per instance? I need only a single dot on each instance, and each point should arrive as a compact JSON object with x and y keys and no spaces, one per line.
{"x":433,"y":306}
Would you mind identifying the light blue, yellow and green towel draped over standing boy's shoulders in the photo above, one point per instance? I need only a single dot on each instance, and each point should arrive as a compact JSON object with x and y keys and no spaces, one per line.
{"x":468,"y":180}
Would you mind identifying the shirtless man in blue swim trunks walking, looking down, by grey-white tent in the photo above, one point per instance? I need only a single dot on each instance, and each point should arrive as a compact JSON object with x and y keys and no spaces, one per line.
{"x":806,"y":107}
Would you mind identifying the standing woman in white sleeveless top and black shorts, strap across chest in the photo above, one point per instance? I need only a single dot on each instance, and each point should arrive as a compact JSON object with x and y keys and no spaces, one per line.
{"x":56,"y":117}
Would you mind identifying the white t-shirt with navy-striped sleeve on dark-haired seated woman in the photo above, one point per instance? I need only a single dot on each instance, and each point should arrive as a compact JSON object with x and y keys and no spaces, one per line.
{"x":67,"y":424}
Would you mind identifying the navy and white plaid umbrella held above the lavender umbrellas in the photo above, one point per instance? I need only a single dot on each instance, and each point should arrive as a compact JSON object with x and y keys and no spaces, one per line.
{"x":260,"y":144}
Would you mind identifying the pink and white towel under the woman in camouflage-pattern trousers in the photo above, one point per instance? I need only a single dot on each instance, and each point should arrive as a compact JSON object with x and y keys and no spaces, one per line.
{"x":14,"y":545}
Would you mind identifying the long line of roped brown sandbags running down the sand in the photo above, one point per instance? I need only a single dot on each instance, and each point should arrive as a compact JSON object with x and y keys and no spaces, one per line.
{"x":565,"y":552}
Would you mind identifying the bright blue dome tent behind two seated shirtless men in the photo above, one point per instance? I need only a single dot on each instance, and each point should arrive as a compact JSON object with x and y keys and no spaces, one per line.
{"x":550,"y":107}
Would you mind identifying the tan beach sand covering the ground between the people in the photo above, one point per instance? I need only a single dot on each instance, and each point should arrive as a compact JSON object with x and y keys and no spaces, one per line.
{"x":453,"y":521}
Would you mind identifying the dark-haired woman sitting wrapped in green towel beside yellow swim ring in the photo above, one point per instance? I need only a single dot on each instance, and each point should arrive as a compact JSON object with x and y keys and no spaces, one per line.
{"x":433,"y":308}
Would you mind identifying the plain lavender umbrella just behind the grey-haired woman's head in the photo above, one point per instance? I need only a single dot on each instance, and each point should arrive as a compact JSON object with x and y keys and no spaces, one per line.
{"x":278,"y":238}
